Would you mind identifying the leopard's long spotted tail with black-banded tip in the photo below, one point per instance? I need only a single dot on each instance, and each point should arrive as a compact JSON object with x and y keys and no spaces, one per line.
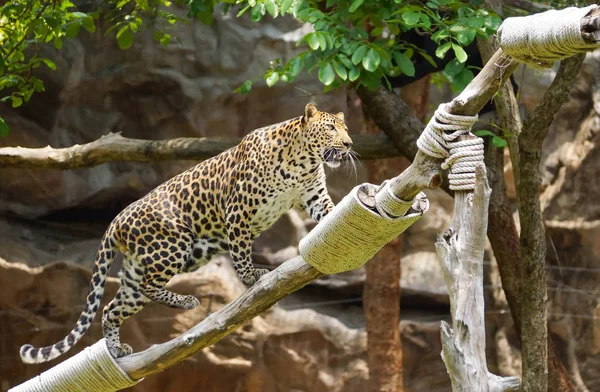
{"x":104,"y":259}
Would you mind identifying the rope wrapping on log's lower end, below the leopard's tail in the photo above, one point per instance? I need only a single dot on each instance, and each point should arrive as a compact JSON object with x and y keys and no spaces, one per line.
{"x":92,"y":370}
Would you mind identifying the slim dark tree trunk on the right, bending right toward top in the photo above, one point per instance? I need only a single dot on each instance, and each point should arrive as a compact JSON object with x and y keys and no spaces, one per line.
{"x":534,"y":331}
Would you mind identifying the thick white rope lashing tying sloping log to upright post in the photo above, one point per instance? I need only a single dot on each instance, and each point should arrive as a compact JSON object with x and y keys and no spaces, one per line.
{"x":440,"y":140}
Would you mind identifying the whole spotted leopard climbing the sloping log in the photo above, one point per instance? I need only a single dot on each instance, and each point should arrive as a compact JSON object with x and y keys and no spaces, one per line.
{"x":219,"y":205}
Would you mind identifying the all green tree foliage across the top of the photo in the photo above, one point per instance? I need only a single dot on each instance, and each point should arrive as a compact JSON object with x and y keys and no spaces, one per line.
{"x":354,"y":41}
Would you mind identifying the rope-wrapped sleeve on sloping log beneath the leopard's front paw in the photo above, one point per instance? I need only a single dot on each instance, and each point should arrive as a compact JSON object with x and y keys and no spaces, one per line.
{"x":360,"y":232}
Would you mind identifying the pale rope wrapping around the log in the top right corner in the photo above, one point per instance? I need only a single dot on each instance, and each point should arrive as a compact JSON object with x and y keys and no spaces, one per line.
{"x":541,"y":39}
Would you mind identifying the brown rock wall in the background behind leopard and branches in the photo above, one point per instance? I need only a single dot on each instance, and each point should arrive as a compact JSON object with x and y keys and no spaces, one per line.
{"x":314,"y":340}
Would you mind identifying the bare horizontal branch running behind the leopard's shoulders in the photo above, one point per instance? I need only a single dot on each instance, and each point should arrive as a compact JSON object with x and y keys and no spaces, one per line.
{"x":114,"y":147}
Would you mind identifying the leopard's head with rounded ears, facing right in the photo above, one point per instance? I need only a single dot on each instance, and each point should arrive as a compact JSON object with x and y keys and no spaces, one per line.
{"x":326,"y":135}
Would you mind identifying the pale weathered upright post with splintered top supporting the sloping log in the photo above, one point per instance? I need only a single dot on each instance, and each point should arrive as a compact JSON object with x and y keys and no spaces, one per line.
{"x":460,"y":251}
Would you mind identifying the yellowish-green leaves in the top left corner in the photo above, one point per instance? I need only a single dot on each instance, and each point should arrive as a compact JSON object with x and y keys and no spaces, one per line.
{"x":27,"y":26}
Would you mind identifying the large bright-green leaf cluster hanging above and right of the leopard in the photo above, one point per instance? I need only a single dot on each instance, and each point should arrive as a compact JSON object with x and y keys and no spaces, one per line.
{"x":362,"y":41}
